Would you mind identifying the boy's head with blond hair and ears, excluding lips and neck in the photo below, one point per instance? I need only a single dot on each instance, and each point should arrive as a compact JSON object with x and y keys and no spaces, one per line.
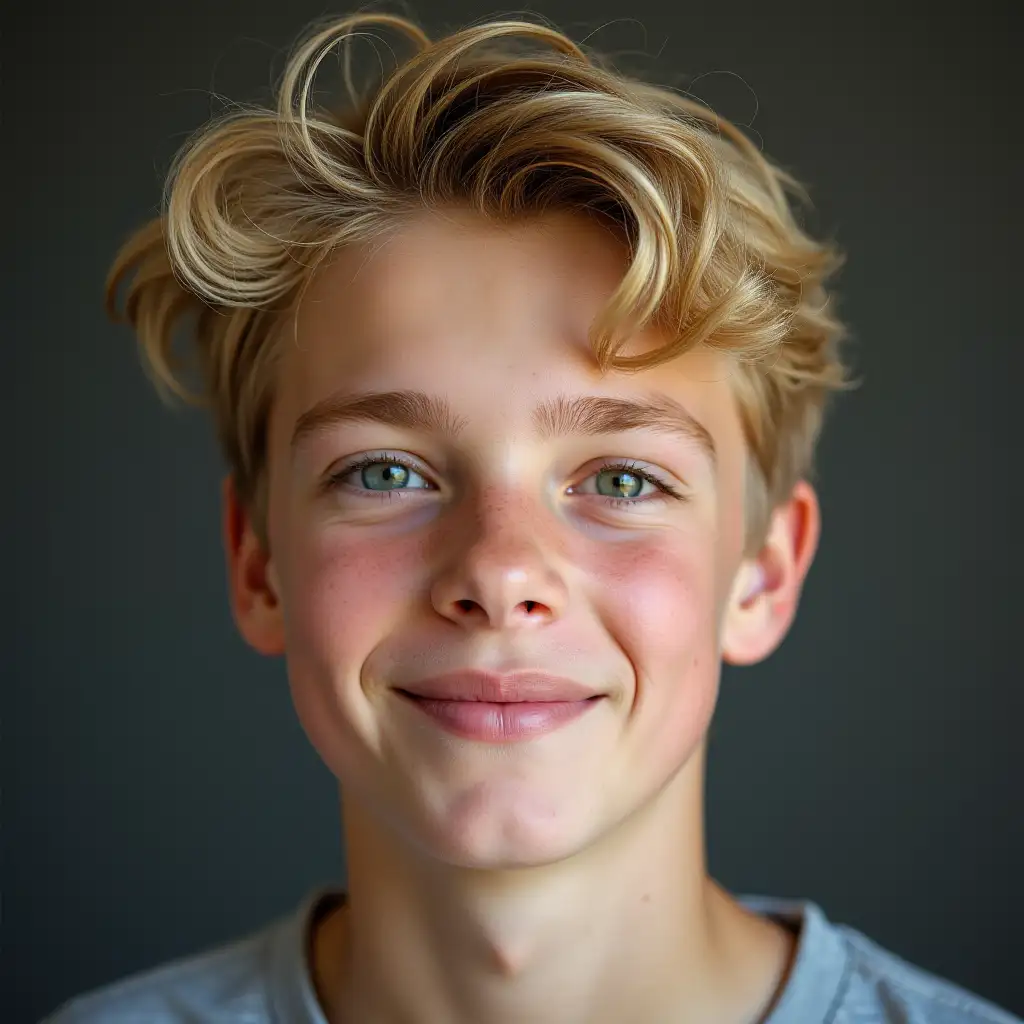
{"x":517,"y":364}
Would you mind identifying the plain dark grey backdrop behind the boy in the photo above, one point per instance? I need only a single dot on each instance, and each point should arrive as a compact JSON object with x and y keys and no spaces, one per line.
{"x":159,"y":795}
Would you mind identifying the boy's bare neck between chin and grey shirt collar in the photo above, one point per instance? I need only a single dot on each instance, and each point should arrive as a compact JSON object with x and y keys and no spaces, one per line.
{"x":630,"y":929}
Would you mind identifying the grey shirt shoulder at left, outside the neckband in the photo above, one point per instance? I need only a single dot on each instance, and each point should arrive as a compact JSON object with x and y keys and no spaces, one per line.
{"x":224,"y":985}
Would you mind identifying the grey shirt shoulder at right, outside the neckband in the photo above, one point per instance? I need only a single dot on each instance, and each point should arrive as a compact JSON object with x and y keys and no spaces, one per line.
{"x":882,"y":987}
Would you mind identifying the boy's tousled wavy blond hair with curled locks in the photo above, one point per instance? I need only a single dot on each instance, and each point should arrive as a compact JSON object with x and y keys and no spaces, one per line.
{"x":509,"y":118}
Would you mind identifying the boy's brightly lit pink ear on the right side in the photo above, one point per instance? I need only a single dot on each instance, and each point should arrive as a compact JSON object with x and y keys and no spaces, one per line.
{"x":766,"y":590}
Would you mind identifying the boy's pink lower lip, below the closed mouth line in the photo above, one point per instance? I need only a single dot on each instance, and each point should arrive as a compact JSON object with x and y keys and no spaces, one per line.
{"x":502,"y":723}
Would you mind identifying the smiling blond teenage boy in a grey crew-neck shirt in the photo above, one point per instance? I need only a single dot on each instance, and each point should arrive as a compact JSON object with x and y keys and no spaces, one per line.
{"x":519,"y":367}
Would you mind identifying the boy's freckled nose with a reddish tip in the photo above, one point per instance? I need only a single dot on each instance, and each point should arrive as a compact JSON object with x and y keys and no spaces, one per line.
{"x":501,"y":576}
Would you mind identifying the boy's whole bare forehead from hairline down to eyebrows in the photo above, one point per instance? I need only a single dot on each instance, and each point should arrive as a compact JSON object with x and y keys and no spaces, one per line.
{"x":494,"y":318}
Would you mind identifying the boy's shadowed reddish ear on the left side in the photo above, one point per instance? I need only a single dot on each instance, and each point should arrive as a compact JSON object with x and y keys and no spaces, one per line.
{"x":251,"y":579}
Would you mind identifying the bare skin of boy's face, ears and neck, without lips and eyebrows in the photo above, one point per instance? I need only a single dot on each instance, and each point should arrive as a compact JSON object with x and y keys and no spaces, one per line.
{"x":562,"y":879}
